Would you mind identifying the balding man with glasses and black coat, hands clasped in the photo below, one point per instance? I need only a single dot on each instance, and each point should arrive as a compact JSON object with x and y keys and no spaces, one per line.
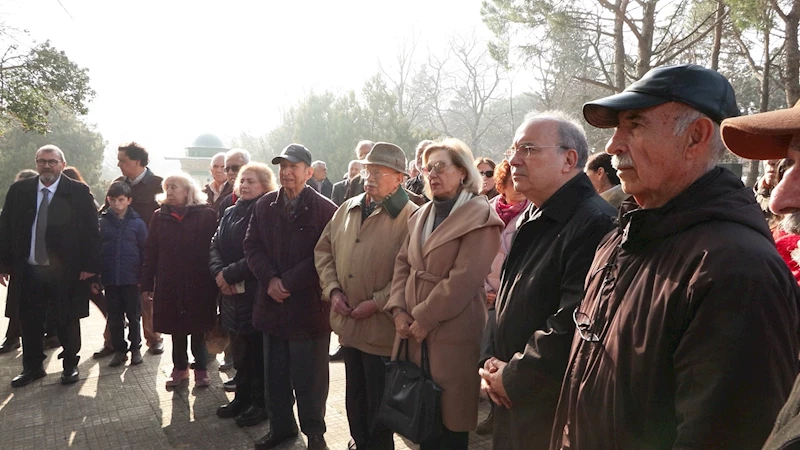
{"x":542,"y":278}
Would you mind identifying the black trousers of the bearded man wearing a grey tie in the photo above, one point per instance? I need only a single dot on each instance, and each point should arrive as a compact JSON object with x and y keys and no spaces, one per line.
{"x":41,"y":290}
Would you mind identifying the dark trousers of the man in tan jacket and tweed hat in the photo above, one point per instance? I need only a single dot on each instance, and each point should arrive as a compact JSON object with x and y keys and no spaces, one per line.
{"x":365,"y":375}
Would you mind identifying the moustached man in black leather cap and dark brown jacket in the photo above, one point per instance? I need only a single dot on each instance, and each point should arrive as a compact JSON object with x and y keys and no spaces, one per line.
{"x":687,"y":333}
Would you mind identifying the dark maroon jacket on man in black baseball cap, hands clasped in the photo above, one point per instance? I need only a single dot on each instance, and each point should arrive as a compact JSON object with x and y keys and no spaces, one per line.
{"x":278,"y":245}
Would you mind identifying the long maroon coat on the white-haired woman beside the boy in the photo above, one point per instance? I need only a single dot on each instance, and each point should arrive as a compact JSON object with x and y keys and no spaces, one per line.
{"x":176,"y":269}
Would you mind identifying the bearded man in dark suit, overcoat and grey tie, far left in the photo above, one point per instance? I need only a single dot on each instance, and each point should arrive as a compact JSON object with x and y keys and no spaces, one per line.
{"x":50,"y":247}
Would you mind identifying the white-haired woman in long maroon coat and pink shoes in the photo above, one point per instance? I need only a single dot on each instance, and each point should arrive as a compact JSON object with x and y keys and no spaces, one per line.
{"x":175,"y":273}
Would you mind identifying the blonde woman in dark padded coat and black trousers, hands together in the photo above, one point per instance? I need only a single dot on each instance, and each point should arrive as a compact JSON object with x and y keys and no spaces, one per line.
{"x":238,"y":286}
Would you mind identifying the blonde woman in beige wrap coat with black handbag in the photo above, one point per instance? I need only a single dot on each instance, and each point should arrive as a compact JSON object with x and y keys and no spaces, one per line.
{"x":437,"y":289}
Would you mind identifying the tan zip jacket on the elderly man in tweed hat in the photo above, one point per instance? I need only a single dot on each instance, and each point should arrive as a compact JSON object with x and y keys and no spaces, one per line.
{"x":358,"y":258}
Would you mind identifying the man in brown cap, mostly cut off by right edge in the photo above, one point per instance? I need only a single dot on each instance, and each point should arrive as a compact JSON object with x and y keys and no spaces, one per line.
{"x":768,"y":136}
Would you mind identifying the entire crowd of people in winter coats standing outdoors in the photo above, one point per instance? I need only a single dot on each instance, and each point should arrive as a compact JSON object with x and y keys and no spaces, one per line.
{"x":641,"y":297}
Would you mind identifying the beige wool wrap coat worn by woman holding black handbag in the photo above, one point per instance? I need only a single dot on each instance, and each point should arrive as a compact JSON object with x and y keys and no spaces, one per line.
{"x":440,"y":284}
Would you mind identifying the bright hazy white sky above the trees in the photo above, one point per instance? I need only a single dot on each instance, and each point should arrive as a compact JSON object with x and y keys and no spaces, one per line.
{"x":166,"y":71}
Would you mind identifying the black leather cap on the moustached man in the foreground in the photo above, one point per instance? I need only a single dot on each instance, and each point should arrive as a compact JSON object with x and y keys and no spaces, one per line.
{"x":703,"y":89}
